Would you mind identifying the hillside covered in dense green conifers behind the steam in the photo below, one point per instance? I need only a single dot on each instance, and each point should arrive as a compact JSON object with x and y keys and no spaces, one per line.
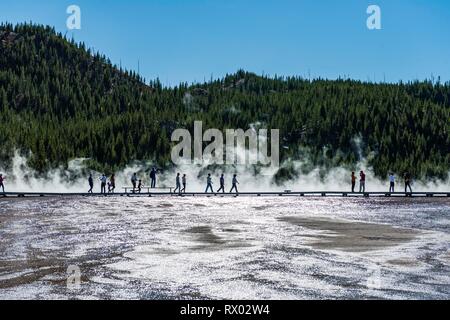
{"x":60,"y":101}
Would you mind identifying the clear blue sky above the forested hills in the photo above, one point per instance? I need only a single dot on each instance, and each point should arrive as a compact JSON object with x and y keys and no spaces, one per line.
{"x":192,"y":40}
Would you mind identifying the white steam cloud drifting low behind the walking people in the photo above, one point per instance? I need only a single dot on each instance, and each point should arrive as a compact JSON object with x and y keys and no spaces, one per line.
{"x":20,"y":177}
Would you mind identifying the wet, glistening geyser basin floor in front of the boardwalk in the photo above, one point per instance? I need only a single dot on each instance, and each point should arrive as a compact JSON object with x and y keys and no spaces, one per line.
{"x":236,"y":248}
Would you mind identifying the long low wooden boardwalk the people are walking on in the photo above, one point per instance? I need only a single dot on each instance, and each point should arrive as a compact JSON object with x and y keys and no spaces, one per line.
{"x":243,"y":194}
